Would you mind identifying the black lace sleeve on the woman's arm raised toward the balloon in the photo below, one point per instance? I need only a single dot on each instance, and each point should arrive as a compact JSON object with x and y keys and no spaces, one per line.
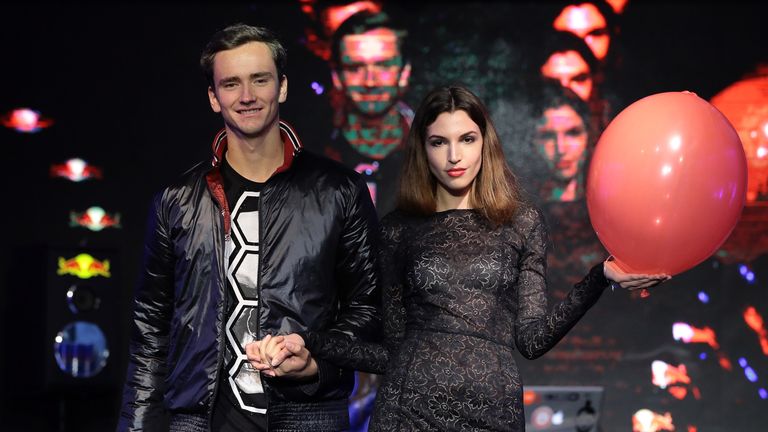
{"x":537,"y":329}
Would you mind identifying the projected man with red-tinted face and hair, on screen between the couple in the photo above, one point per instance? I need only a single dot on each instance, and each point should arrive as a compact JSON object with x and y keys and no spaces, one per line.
{"x":370,"y":75}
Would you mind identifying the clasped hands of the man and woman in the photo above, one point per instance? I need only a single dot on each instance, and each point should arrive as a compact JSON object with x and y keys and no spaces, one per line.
{"x":281,"y":356}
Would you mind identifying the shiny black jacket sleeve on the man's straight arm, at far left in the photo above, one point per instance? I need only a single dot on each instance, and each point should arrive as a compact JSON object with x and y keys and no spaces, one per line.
{"x":142,"y":405}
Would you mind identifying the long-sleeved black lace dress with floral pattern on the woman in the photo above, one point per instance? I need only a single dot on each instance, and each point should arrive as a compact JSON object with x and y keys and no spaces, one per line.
{"x":458,"y":297}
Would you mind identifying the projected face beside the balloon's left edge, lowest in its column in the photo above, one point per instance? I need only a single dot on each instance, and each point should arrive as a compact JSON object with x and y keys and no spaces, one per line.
{"x":562,"y":140}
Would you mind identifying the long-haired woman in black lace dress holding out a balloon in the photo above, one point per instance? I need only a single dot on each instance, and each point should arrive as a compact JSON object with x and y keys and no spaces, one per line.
{"x":462,"y":268}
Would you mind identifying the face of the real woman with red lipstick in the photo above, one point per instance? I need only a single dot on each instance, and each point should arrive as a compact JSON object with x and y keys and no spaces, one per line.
{"x":454,"y":147}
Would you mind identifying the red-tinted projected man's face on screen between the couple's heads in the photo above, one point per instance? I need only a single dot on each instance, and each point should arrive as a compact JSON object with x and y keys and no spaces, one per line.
{"x":371,"y":70}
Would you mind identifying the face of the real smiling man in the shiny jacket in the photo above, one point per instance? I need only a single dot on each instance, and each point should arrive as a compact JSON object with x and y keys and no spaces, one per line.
{"x":247,"y":91}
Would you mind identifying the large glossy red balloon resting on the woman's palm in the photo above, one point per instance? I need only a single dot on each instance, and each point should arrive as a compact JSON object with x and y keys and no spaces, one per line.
{"x":666,"y":184}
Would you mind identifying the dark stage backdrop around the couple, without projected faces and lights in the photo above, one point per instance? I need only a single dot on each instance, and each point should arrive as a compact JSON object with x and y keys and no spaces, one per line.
{"x":122,"y":84}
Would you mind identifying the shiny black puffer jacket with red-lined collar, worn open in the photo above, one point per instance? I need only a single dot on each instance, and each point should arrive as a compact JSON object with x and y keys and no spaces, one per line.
{"x":317,"y":233}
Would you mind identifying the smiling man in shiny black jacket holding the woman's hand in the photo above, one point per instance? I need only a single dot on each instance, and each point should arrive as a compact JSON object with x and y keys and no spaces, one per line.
{"x":267,"y":239}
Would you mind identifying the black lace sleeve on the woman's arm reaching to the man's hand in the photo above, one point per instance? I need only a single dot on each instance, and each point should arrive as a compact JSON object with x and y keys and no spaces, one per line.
{"x":373,"y":357}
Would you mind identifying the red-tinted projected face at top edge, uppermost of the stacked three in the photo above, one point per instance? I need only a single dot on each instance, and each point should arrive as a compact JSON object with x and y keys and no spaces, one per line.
{"x":586,"y":22}
